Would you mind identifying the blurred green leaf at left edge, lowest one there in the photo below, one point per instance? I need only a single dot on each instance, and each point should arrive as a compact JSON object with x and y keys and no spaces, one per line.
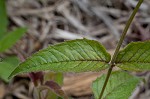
{"x":7,"y":66}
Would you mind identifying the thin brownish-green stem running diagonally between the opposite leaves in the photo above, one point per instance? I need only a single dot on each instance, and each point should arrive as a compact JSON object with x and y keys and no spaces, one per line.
{"x":112,"y":62}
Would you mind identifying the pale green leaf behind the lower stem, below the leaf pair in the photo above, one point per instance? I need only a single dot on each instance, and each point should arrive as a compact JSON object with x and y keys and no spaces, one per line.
{"x":120,"y":85}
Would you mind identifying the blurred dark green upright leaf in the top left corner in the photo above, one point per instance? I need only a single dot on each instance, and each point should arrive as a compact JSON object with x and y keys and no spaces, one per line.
{"x":3,"y":18}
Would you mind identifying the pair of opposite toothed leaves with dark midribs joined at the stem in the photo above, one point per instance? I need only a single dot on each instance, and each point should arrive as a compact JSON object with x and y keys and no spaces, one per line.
{"x":83,"y":55}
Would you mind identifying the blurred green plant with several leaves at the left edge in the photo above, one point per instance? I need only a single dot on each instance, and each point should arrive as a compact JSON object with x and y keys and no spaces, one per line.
{"x":7,"y":40}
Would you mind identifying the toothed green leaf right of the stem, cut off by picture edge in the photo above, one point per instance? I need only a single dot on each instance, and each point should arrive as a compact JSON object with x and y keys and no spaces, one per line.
{"x":135,"y":57}
